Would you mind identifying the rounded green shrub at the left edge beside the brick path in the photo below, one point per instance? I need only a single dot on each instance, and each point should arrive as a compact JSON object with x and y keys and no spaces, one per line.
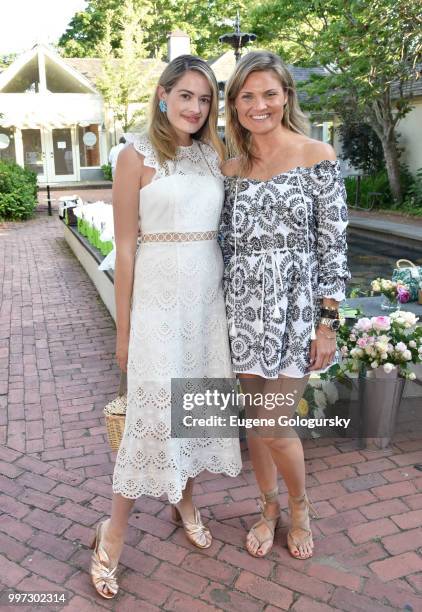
{"x":18,"y":191}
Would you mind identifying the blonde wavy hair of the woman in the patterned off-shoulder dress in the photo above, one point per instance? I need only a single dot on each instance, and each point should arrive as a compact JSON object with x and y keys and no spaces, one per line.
{"x":238,"y":139}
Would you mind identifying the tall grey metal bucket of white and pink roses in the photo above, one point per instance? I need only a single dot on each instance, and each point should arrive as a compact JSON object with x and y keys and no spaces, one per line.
{"x":380,"y":351}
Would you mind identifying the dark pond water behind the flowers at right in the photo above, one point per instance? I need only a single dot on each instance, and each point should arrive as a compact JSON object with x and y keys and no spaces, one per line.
{"x":369,"y":258}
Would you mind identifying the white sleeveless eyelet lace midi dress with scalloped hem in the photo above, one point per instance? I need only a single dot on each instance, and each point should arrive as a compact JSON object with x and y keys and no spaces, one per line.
{"x":178,"y":324}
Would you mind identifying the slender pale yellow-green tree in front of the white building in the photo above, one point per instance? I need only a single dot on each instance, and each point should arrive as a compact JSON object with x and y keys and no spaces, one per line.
{"x":125,"y":80}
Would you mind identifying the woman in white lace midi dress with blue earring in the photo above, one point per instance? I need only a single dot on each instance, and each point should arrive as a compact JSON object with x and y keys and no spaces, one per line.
{"x":170,"y":307}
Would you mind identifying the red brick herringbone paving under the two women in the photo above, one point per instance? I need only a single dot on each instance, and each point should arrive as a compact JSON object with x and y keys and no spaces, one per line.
{"x":55,"y":474}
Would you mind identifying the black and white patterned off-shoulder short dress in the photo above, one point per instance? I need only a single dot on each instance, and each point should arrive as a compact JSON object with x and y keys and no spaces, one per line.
{"x":284,"y":248}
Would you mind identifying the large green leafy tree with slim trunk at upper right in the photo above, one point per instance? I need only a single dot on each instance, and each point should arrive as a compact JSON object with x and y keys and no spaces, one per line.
{"x":370,"y":51}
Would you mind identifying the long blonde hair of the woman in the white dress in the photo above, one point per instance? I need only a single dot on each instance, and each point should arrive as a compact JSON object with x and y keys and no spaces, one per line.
{"x":160,"y":130}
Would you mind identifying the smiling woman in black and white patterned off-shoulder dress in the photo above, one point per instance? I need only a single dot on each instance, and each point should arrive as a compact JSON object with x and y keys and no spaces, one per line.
{"x":284,"y":244}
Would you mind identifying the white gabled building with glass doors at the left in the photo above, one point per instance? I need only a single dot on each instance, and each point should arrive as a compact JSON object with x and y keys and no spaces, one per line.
{"x":52,"y":116}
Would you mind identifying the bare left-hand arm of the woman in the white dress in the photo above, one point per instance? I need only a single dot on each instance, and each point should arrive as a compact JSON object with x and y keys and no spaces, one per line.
{"x":126,"y":188}
